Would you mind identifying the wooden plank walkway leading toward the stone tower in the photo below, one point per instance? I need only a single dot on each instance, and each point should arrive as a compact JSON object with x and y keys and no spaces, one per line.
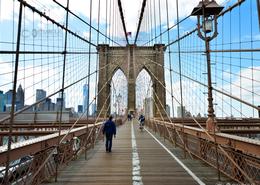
{"x":148,"y":163}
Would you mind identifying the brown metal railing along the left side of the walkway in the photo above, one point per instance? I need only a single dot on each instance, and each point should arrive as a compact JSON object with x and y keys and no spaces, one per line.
{"x":28,"y":156}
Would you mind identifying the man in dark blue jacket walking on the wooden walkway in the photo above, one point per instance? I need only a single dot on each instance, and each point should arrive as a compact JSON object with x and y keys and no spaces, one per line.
{"x":109,"y":129}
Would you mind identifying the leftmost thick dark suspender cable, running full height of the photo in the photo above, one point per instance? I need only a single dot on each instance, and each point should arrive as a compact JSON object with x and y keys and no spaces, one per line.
{"x":6,"y":177}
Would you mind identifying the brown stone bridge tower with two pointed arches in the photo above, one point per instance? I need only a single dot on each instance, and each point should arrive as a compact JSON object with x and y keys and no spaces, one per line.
{"x":131,"y":60}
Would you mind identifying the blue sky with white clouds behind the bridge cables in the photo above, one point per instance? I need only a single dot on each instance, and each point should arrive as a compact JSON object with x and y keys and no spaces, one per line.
{"x":44,"y":71}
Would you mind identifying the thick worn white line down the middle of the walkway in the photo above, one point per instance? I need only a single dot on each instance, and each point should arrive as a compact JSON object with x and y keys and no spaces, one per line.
{"x":136,"y":174}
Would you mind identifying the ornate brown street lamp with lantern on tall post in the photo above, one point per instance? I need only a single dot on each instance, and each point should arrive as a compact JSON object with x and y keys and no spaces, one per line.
{"x":206,"y":13}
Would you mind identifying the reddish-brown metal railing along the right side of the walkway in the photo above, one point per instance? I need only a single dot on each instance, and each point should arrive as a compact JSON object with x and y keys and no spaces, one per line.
{"x":238,"y":157}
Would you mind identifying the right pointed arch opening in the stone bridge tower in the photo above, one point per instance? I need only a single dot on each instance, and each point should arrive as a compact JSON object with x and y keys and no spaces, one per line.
{"x":144,"y":92}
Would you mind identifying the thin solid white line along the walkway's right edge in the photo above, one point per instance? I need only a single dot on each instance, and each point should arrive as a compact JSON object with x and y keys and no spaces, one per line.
{"x":178,"y":161}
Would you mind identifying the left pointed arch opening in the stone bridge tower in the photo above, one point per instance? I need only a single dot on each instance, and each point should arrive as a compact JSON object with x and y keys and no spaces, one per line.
{"x":119,"y":93}
